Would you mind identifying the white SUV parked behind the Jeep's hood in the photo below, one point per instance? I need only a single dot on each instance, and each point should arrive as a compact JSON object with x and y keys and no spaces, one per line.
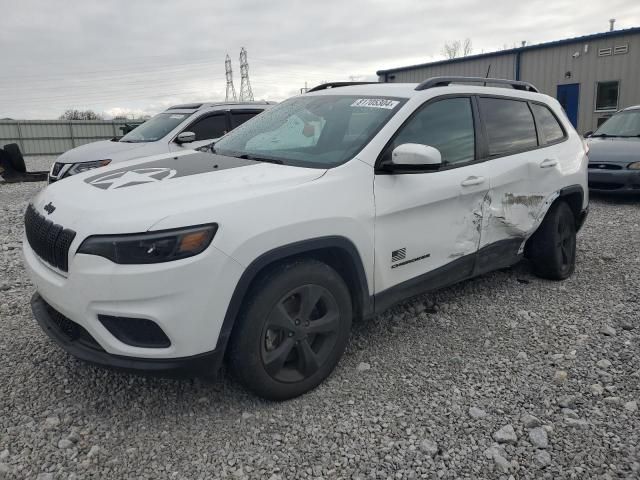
{"x":168,"y":131}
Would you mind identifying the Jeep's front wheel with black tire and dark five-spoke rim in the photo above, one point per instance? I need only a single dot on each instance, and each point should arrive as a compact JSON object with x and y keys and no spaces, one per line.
{"x":277,"y":350}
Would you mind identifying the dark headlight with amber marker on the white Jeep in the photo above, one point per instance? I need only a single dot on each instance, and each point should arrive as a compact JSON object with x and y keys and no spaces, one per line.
{"x":151,"y":247}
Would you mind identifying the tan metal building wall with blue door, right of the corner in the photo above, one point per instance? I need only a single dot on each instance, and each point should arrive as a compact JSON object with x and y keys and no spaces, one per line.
{"x":549,"y":67}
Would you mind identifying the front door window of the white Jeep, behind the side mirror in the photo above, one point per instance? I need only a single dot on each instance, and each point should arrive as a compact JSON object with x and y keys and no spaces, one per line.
{"x":446,"y":125}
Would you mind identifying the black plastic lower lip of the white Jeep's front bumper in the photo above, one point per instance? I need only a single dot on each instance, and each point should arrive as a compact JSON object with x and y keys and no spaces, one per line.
{"x":79,"y":343}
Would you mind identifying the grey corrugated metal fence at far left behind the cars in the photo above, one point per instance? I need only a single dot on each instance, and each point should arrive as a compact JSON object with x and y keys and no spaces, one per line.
{"x":54,"y":137}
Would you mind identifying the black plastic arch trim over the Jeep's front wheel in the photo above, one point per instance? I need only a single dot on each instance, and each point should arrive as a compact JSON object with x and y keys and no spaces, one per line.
{"x":338,"y":252}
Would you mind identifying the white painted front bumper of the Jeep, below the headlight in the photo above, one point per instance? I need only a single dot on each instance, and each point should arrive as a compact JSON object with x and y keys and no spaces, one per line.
{"x":186,"y":299}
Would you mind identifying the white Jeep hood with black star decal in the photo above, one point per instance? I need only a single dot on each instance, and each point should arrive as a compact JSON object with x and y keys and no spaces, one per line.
{"x":135,"y":196}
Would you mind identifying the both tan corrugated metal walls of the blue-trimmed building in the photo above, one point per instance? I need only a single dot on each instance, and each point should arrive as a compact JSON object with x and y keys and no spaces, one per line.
{"x":548,"y":67}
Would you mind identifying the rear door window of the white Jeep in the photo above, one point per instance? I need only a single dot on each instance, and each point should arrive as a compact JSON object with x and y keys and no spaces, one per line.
{"x":509,"y":125}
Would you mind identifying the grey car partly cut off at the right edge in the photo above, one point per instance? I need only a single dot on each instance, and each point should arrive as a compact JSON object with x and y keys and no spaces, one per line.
{"x":614,"y":153}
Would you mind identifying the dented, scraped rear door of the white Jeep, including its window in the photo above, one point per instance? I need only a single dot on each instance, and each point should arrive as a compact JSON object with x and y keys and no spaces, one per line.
{"x":513,"y":202}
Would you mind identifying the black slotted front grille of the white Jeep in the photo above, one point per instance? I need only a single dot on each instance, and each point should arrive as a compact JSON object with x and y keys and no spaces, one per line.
{"x":51,"y":242}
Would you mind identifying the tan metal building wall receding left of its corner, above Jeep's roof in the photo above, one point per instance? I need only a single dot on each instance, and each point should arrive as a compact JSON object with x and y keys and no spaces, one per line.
{"x":502,"y":66}
